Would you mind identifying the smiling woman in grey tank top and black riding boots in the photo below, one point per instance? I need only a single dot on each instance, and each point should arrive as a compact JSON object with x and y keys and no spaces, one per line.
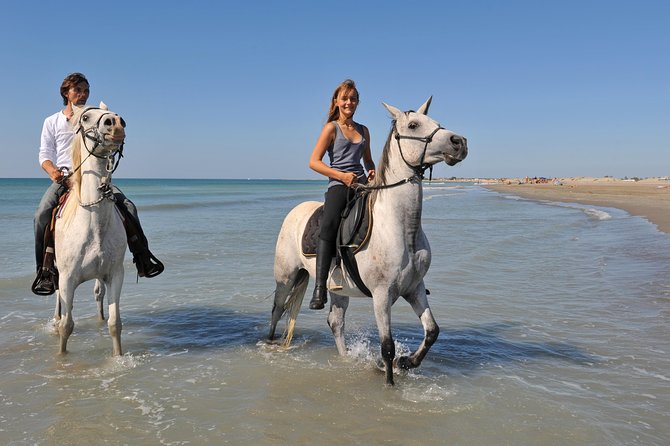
{"x":347,"y":142}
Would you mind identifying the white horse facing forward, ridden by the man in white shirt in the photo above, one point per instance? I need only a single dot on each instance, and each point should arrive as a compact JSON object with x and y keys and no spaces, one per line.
{"x":90,"y":240}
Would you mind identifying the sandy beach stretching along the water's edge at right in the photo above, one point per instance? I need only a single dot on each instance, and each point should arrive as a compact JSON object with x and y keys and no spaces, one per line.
{"x":648,"y":198}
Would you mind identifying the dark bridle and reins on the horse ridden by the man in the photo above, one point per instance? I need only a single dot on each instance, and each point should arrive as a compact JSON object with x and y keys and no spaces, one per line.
{"x":113,"y":158}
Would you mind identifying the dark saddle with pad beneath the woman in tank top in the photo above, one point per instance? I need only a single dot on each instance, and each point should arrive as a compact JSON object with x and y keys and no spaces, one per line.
{"x":352,"y":235}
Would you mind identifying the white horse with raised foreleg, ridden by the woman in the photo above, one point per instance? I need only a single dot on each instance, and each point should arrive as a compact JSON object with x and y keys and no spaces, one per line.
{"x":397,"y":255}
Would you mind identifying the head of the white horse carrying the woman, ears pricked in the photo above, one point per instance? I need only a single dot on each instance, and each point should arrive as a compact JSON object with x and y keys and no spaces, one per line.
{"x":422,"y":141}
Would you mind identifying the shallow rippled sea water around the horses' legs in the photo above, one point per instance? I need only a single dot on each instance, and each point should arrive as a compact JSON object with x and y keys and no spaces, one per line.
{"x":553,"y":331}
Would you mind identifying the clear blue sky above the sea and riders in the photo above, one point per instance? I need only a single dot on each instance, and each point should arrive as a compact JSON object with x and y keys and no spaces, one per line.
{"x":220,"y":89}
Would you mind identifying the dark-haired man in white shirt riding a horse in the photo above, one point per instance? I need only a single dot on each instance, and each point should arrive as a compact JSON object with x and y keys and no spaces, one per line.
{"x":54,"y":158}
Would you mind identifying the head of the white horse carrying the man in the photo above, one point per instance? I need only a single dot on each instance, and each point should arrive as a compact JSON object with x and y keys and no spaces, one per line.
{"x":102,"y":131}
